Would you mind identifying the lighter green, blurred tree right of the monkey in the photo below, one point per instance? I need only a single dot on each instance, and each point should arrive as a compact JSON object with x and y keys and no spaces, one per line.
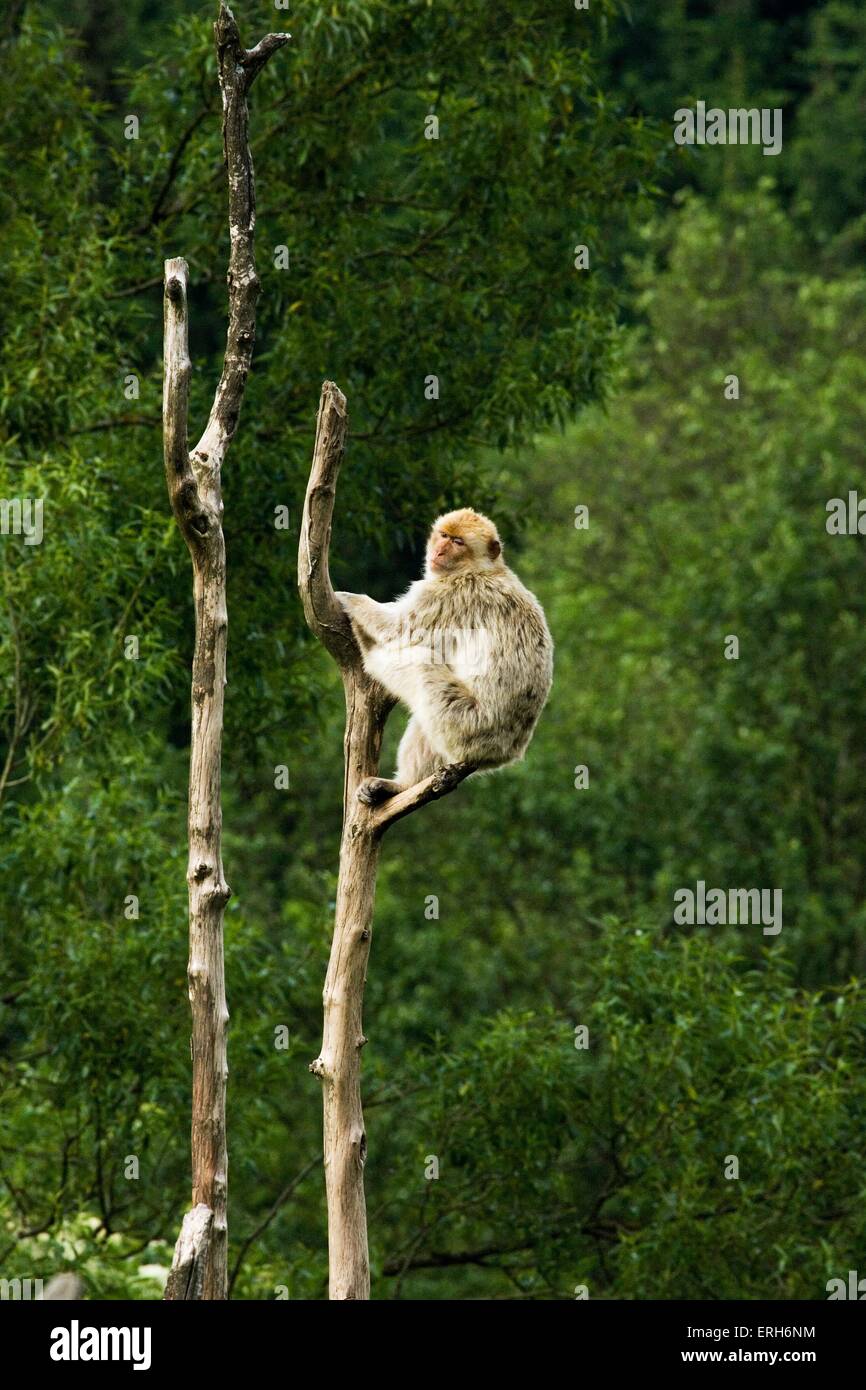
{"x":708,"y":518}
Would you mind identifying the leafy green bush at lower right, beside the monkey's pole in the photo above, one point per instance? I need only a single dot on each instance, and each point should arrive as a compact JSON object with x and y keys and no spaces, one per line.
{"x":611,"y":1167}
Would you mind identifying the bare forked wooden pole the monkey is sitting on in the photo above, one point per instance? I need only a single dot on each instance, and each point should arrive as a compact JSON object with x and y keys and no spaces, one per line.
{"x":368,"y":710}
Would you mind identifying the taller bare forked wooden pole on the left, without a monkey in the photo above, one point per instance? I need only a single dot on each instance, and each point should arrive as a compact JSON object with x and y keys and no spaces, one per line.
{"x":201,"y":1261}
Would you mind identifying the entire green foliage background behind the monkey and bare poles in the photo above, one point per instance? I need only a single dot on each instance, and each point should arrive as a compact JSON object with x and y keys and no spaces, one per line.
{"x":558,"y":1166}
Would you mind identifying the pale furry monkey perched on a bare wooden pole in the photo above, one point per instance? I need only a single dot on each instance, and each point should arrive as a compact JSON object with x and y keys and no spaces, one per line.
{"x":468,"y":651}
